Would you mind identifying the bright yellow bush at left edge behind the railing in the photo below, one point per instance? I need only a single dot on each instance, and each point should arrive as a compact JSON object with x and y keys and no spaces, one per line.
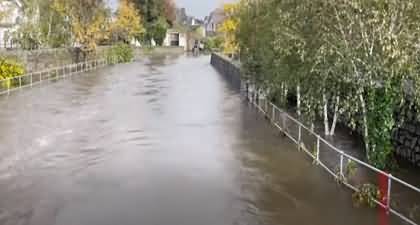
{"x":9,"y":69}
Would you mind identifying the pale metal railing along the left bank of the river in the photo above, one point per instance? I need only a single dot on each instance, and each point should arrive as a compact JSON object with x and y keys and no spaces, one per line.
{"x":11,"y":84}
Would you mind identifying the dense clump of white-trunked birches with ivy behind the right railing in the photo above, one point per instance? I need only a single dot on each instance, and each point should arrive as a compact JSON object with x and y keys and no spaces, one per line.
{"x":348,"y":60}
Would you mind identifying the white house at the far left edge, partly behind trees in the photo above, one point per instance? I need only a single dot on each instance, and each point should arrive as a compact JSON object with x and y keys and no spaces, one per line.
{"x":10,"y":23}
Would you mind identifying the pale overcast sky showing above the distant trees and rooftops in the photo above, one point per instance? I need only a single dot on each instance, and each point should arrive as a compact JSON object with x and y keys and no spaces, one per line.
{"x":197,"y":8}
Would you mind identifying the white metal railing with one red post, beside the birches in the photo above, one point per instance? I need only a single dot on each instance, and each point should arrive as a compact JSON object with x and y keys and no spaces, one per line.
{"x":336,"y":161}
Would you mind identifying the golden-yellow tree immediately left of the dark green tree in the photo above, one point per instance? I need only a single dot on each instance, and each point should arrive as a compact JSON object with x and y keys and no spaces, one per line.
{"x":128,"y":24}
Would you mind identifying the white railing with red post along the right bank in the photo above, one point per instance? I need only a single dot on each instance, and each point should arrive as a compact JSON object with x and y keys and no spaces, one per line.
{"x":295,"y":130}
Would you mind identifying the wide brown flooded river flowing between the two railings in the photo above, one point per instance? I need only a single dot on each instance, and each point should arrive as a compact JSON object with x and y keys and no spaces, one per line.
{"x":162,"y":141}
